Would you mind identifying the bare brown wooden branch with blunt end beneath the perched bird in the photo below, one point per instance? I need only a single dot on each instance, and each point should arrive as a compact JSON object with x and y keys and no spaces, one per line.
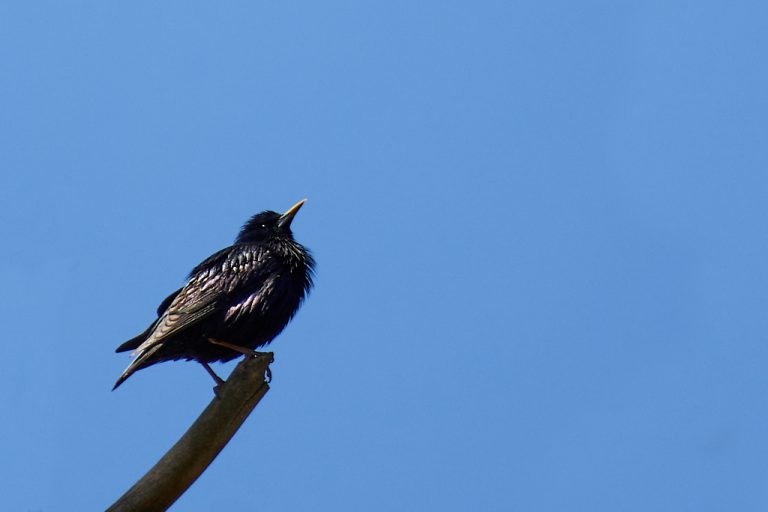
{"x":208,"y":435}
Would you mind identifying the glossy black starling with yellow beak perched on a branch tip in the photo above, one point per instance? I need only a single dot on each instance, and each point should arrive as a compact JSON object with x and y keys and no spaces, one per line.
{"x":235,"y":301}
